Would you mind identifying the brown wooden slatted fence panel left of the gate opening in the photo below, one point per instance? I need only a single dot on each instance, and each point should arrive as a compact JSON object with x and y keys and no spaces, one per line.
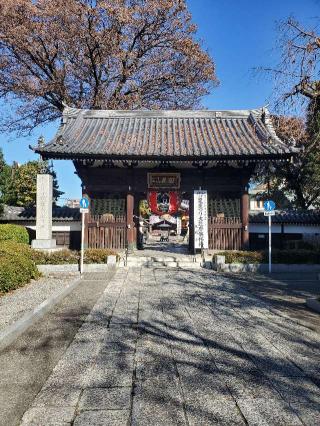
{"x":107,"y":232}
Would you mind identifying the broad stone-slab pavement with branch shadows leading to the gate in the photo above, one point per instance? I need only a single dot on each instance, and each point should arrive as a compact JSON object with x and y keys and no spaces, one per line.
{"x":169,"y":347}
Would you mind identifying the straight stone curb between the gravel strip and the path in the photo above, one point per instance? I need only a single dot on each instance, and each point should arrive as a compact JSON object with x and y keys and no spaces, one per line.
{"x":13,"y":331}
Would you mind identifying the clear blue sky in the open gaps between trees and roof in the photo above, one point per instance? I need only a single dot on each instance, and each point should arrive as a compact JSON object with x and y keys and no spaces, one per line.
{"x":239,"y":34}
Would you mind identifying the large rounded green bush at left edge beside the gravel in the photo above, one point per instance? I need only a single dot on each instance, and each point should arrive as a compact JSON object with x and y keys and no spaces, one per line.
{"x":16,"y":265}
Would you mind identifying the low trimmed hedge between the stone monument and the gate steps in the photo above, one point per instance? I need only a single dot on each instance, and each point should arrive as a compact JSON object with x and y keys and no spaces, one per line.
{"x":62,"y":257}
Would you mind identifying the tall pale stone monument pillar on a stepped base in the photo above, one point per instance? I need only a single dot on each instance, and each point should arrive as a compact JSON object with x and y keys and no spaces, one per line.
{"x":44,"y":239}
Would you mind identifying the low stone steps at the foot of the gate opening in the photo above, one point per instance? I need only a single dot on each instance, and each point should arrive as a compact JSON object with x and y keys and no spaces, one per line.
{"x":183,"y":262}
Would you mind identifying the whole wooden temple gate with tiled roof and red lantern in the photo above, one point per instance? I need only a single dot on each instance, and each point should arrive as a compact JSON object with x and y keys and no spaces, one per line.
{"x":127,"y":157}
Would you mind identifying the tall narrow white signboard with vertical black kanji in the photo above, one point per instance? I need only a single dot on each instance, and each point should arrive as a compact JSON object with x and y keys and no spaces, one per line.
{"x":200,"y":199}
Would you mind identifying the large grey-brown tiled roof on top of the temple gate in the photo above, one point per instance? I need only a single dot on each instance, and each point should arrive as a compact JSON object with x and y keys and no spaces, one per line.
{"x":168,"y":134}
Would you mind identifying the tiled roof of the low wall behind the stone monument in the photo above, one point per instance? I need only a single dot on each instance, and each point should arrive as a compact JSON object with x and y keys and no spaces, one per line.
{"x":21,"y":214}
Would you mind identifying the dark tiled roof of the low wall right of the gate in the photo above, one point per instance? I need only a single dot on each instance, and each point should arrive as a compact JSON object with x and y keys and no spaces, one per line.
{"x":311,"y":217}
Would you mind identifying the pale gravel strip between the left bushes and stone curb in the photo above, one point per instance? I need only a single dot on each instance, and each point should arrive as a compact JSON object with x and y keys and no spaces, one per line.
{"x":17,"y":303}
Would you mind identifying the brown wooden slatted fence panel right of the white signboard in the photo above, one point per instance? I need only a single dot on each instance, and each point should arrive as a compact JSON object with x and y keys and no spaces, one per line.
{"x":224,"y":233}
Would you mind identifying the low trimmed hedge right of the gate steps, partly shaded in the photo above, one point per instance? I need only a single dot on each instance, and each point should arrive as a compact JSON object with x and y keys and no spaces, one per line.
{"x":278,"y":256}
